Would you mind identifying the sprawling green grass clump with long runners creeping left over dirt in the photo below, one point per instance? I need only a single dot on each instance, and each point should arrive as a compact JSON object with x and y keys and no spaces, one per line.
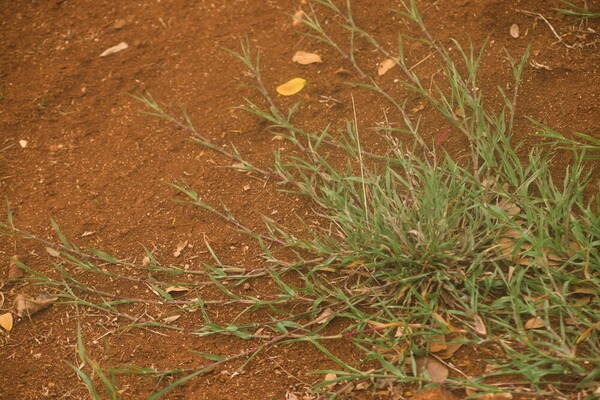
{"x":489,"y":252}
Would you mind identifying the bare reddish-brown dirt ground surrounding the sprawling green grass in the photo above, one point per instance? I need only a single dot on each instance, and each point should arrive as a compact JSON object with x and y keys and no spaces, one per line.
{"x":95,"y":164}
